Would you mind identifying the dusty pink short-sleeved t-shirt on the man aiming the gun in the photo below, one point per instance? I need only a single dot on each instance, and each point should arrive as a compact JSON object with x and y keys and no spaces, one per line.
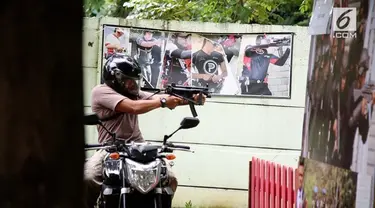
{"x":103,"y":102}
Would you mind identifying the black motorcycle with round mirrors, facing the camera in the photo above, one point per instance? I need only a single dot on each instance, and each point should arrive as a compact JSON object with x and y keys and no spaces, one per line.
{"x":135,"y":174}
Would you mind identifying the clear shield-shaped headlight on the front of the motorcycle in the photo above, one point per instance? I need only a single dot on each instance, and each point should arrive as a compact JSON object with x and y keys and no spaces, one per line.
{"x":143,"y":177}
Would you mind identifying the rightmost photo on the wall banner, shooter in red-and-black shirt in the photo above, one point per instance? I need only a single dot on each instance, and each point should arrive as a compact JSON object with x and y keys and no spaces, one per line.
{"x":265,"y":65}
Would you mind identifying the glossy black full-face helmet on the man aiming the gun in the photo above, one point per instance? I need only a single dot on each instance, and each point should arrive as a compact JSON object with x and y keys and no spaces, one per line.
{"x":123,"y":74}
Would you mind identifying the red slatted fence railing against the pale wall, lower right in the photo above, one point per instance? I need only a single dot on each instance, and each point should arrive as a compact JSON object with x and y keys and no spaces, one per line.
{"x":271,"y":185}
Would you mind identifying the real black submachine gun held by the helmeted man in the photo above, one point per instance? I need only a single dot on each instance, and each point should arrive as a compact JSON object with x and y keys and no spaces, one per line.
{"x":184,"y":92}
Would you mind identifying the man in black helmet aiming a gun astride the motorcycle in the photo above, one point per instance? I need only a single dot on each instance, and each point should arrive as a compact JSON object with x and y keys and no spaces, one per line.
{"x":117,"y":103}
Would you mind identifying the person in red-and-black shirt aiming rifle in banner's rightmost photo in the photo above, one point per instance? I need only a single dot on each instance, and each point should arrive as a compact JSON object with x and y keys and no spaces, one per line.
{"x":256,"y":62}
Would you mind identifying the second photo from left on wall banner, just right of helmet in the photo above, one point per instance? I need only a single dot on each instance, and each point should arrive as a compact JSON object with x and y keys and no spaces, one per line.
{"x":147,"y":47}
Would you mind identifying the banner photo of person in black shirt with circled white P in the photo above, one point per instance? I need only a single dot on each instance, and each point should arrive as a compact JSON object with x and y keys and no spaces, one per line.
{"x":214,"y":61}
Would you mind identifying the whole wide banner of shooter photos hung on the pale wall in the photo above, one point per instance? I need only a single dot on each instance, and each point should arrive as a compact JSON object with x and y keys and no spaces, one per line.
{"x":252,"y":65}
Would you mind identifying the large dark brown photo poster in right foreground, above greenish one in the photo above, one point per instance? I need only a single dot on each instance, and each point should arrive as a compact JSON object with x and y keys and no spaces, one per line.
{"x":340,"y":98}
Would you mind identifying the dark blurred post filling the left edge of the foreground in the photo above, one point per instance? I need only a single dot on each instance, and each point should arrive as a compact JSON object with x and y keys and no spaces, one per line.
{"x":41,"y":104}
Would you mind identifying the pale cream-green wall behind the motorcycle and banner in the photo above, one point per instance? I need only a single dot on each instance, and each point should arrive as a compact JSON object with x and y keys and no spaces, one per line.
{"x":232,"y":129}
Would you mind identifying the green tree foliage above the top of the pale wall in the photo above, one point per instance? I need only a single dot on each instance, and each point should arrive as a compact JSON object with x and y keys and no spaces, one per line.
{"x":285,"y":12}
